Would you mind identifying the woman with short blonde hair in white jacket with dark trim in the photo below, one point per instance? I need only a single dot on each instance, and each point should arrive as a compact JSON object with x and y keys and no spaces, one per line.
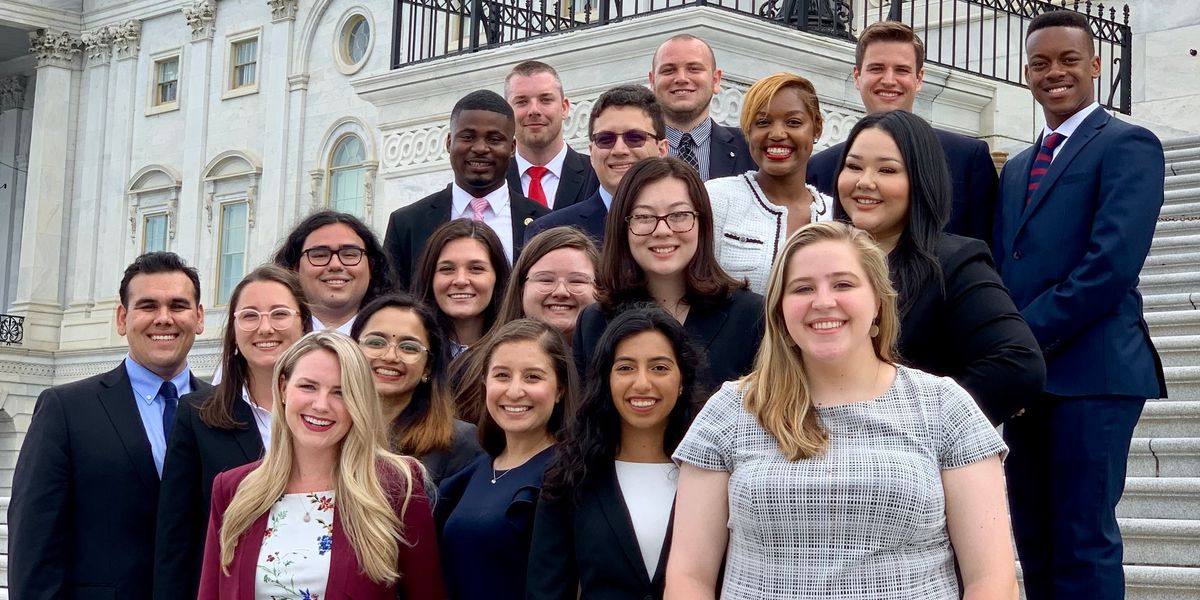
{"x":755,"y":213}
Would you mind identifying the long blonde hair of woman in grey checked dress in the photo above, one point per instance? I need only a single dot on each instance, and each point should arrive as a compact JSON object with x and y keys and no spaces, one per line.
{"x":777,"y":392}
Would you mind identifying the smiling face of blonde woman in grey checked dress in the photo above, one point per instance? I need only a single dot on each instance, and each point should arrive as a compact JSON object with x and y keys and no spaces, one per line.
{"x":829,"y":303}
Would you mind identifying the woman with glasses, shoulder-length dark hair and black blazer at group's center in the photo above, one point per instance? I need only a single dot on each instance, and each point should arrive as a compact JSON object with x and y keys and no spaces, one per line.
{"x":659,"y":248}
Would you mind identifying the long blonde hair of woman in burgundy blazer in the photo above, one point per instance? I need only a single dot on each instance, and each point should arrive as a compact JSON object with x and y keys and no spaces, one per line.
{"x":364,"y":507}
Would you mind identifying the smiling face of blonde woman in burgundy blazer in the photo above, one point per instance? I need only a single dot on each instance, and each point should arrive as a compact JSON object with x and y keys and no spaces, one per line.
{"x":314,"y":407}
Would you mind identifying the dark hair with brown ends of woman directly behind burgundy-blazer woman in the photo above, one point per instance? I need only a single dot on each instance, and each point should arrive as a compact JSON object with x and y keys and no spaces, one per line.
{"x":428,"y":422}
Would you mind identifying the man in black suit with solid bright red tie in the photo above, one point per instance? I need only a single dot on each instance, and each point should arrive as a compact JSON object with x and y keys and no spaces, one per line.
{"x":545,"y":169}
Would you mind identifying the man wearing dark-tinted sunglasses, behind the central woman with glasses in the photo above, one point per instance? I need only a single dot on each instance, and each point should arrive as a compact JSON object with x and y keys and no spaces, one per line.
{"x":626,"y":127}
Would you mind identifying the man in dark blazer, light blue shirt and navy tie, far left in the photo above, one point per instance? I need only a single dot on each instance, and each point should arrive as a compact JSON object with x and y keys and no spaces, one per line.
{"x":86,"y":489}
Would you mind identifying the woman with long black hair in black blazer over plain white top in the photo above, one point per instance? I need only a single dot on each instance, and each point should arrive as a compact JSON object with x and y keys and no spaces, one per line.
{"x":603,"y":527}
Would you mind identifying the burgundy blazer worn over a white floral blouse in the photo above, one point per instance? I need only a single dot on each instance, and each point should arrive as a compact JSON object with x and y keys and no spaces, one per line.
{"x":419,"y":565}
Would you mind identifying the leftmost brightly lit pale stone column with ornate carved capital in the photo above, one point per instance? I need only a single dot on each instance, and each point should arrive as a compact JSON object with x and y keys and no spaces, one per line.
{"x":44,"y":242}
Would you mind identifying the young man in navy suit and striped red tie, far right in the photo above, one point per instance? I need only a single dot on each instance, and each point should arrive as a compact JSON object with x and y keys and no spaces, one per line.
{"x":1075,"y":221}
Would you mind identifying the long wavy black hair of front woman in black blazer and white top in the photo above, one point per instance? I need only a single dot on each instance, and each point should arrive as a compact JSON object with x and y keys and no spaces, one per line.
{"x":593,"y":436}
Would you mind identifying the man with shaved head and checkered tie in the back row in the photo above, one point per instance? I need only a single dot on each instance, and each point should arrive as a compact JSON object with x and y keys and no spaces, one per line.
{"x":685,"y":79}
